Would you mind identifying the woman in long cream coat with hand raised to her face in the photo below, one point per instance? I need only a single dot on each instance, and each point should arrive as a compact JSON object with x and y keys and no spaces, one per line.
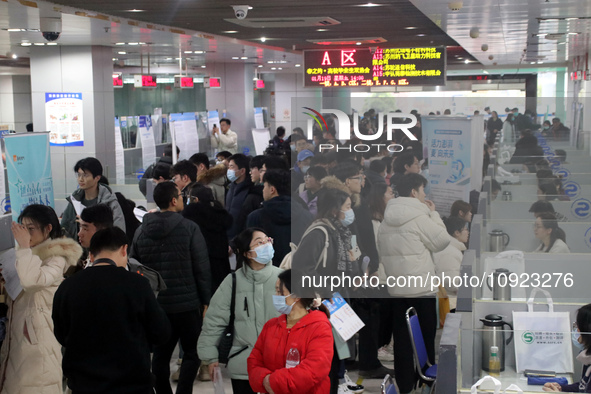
{"x":31,"y":356}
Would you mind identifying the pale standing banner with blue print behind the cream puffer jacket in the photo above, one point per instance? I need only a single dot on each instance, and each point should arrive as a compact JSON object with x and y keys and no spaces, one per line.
{"x":454,"y":168}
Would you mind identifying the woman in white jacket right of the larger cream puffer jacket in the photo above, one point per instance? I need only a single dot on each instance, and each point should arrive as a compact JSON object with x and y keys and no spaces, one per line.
{"x":448,"y":262}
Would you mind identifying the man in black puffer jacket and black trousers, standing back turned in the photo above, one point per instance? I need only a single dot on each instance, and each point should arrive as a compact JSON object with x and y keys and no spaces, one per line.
{"x":175,"y":247}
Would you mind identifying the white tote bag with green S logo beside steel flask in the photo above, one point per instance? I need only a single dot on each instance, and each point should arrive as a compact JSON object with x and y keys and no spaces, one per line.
{"x":542,"y":339}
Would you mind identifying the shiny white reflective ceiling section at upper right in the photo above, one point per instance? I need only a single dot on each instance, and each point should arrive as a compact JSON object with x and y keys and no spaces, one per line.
{"x":510,"y":28}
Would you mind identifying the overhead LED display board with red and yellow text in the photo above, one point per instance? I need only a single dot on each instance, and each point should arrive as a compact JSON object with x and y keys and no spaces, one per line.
{"x":385,"y":67}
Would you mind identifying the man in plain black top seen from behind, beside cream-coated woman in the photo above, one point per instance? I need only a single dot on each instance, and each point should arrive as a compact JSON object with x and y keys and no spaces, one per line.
{"x":107,"y":318}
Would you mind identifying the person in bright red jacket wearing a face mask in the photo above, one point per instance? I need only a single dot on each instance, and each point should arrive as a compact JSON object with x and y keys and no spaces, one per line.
{"x":304,"y":326}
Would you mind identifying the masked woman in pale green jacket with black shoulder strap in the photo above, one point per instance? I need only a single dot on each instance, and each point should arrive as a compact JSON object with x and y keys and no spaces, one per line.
{"x":255,"y":282}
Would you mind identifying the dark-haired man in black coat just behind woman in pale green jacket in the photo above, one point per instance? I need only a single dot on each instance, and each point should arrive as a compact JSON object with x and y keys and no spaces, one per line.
{"x":283,"y":221}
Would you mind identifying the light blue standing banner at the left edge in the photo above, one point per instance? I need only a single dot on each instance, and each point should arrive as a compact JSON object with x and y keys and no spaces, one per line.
{"x":28,"y":164}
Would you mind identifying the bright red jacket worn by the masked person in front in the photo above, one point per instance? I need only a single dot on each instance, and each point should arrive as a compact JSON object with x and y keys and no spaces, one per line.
{"x":312,"y":336}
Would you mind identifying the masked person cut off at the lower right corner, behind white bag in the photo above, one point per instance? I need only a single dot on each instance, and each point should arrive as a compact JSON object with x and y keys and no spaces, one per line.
{"x":582,"y":341}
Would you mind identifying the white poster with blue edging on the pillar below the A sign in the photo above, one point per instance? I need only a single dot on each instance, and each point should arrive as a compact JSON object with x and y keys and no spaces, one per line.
{"x":63,"y":119}
